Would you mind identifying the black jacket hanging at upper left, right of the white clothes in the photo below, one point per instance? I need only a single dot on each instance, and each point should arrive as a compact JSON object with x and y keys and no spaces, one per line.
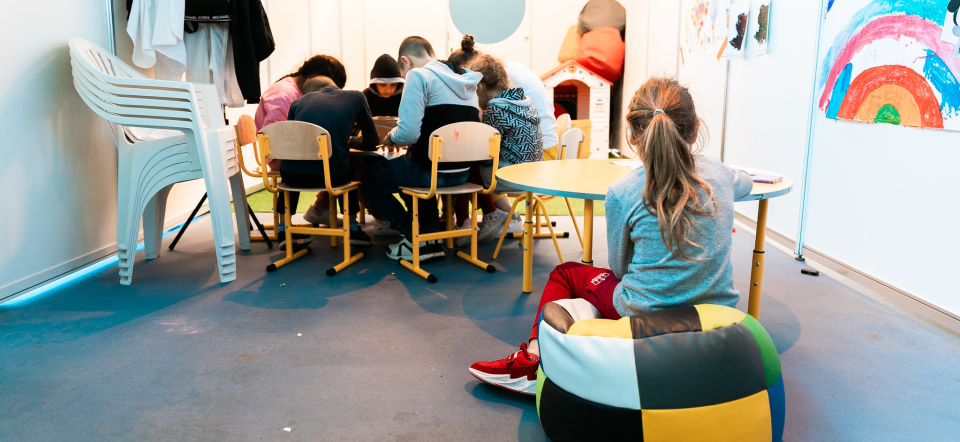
{"x":252,"y":43}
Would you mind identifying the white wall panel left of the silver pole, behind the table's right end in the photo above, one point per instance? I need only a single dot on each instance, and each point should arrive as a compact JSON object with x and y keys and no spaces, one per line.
{"x":768,"y":108}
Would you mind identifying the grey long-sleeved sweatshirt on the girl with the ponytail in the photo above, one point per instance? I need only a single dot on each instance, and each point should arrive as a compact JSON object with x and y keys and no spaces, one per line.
{"x":650,"y":277}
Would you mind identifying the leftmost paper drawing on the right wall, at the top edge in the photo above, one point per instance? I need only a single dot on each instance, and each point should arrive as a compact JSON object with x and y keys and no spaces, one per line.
{"x":704,"y":26}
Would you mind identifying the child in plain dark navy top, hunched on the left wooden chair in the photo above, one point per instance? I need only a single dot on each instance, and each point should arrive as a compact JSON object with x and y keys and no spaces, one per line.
{"x":336,"y":110}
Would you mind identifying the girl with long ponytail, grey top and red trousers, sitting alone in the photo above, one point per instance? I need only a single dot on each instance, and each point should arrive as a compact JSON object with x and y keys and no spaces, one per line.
{"x":668,"y":229}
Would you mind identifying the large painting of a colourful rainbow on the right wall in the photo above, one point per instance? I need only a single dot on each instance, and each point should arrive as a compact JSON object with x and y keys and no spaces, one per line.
{"x":887,"y":62}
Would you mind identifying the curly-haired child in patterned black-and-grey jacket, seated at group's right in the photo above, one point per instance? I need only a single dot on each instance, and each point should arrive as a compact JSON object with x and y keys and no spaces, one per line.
{"x":512,"y":113}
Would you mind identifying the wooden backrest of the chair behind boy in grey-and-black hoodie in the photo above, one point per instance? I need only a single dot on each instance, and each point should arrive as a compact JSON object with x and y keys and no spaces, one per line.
{"x":466,"y":141}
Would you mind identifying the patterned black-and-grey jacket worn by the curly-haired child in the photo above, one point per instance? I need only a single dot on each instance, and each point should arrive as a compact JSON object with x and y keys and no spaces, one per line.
{"x":514,"y":116}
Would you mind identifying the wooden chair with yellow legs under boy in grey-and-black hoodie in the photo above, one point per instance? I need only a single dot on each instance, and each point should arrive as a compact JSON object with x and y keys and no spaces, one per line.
{"x":458,"y":142}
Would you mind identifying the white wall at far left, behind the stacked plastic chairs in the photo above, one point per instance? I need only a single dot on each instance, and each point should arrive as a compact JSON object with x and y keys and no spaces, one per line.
{"x":59,"y":168}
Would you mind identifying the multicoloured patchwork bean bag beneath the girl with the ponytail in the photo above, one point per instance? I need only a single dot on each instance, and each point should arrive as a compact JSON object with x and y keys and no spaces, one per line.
{"x":702,"y":373}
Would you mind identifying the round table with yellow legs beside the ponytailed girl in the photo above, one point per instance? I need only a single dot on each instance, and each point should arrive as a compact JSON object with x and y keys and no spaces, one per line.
{"x":589,"y":180}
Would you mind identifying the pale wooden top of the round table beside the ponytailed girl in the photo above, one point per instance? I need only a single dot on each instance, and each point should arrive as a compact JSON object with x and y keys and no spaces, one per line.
{"x":589,"y":179}
